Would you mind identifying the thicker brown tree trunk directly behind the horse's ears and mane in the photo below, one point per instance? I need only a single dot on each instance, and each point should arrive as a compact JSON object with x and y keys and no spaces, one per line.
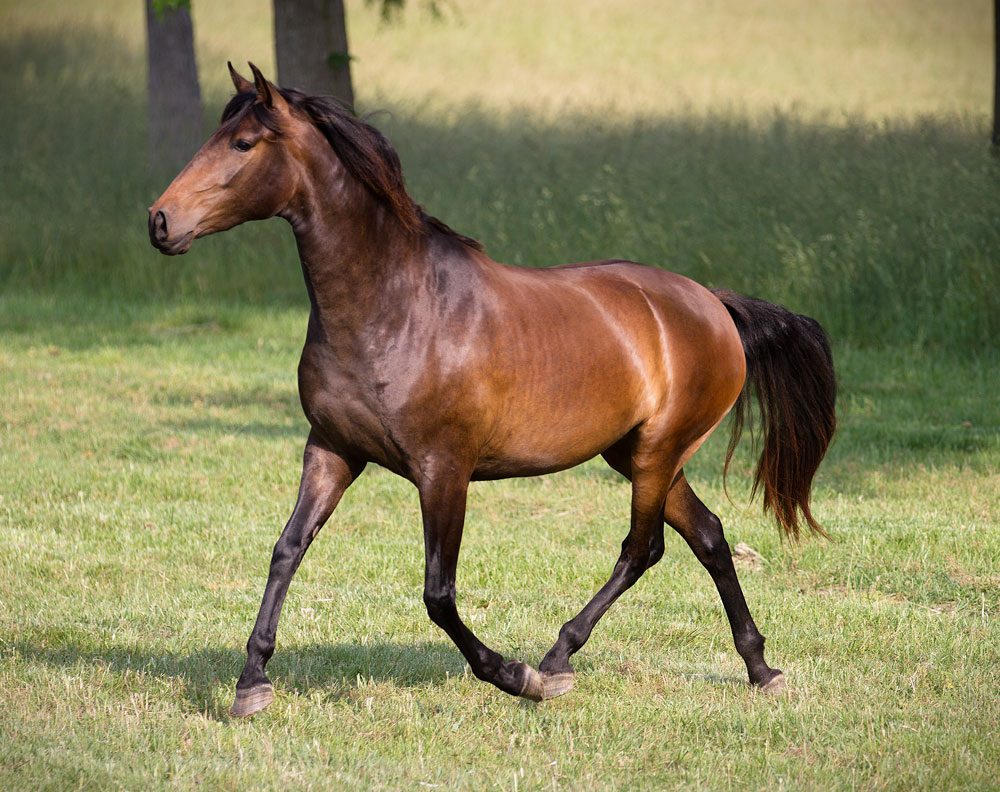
{"x":310,"y":38}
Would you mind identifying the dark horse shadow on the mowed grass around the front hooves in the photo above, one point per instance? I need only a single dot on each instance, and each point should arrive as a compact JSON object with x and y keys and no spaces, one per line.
{"x":206,"y":678}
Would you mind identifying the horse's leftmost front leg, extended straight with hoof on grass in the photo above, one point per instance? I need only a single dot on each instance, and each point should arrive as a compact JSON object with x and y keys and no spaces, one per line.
{"x":325,"y":476}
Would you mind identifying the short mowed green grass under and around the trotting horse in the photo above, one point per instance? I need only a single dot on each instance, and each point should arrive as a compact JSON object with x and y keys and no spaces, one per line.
{"x":150,"y":457}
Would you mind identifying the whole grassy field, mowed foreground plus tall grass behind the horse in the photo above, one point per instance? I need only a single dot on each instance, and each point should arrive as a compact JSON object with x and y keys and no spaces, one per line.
{"x":831,"y":156}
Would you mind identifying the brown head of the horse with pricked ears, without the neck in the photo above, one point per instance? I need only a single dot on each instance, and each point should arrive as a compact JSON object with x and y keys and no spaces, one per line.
{"x":245,"y":171}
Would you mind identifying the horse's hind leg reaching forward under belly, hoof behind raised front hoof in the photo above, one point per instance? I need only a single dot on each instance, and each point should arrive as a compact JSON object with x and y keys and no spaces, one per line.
{"x":642,"y":548}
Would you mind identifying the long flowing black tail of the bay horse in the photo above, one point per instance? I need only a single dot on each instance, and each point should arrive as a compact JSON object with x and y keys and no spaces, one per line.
{"x":790,"y":366}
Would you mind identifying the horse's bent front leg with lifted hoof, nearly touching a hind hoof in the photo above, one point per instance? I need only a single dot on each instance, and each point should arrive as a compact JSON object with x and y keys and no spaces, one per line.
{"x":442,"y":505}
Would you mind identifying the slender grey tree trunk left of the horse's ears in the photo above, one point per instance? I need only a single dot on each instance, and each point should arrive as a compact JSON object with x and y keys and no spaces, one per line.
{"x":175,"y":114}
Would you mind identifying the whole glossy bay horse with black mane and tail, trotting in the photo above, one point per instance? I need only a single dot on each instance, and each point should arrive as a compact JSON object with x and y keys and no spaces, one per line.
{"x":426,"y":357}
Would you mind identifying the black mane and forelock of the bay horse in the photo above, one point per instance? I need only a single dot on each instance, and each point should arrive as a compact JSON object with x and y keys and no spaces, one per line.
{"x":364,"y":151}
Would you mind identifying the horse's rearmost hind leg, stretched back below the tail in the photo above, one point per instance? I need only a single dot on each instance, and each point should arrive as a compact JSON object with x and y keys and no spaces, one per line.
{"x":703,"y":532}
